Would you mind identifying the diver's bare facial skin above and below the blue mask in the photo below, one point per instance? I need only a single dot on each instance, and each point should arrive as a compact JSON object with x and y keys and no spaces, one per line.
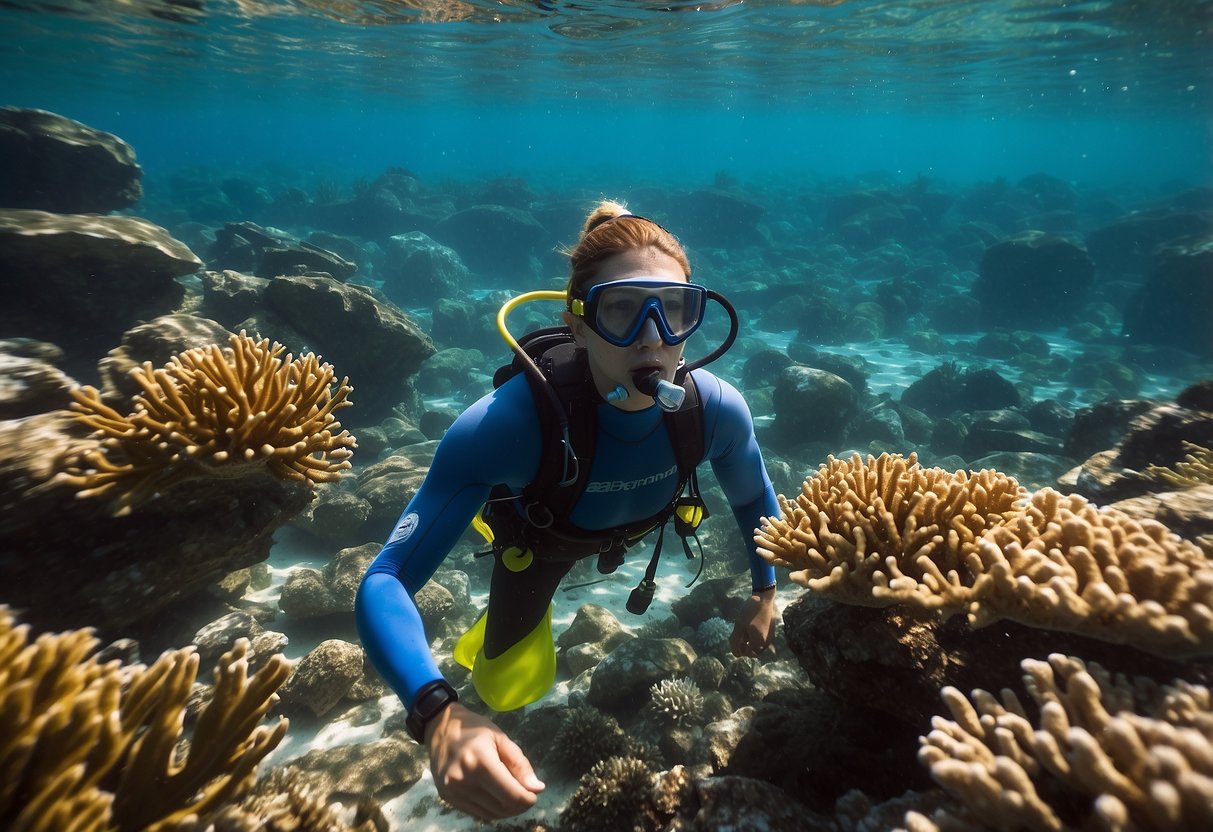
{"x":611,"y":366}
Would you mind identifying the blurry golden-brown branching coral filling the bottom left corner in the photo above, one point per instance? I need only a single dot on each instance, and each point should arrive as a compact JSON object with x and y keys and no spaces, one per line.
{"x":98,"y":746}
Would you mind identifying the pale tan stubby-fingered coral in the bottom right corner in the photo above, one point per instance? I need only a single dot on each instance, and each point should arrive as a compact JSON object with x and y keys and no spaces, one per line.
{"x":1103,"y":753}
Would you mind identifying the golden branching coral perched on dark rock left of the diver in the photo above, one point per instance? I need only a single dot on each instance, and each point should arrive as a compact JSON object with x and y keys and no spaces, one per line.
{"x":215,"y":413}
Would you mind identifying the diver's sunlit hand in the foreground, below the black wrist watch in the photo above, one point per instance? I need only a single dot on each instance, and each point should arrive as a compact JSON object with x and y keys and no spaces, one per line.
{"x":477,"y":768}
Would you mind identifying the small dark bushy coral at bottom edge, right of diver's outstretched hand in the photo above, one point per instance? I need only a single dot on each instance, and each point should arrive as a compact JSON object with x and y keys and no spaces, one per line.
{"x":616,"y":795}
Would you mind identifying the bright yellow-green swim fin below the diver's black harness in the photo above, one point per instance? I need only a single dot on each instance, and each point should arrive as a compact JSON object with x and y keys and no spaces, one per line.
{"x":520,"y":676}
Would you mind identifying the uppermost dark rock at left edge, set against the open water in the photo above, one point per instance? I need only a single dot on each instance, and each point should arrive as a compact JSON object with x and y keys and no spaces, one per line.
{"x":55,"y":164}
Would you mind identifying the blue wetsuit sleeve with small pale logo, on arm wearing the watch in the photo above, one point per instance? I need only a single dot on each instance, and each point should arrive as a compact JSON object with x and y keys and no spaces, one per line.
{"x":496,"y":441}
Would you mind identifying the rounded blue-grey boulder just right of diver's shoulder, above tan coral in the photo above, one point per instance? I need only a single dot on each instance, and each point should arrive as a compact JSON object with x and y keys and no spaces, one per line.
{"x":812,"y":406}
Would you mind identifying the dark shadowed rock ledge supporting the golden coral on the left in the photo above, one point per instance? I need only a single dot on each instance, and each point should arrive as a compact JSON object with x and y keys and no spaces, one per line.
{"x":127,"y":571}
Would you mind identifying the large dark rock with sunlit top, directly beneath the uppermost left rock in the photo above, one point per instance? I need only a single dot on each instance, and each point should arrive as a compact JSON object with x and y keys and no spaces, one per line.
{"x":82,"y":281}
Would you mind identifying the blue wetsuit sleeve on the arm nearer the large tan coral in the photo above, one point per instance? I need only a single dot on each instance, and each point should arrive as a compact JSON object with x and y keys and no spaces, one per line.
{"x":738,"y":465}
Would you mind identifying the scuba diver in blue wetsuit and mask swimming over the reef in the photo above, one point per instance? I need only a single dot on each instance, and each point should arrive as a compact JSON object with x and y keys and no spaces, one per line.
{"x":588,"y":445}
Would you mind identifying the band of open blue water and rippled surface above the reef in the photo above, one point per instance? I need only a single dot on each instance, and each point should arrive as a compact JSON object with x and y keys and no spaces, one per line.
{"x":601,"y":94}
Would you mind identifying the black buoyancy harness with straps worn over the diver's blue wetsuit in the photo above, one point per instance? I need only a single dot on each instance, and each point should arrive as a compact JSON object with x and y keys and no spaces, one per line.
{"x":543,"y":528}
